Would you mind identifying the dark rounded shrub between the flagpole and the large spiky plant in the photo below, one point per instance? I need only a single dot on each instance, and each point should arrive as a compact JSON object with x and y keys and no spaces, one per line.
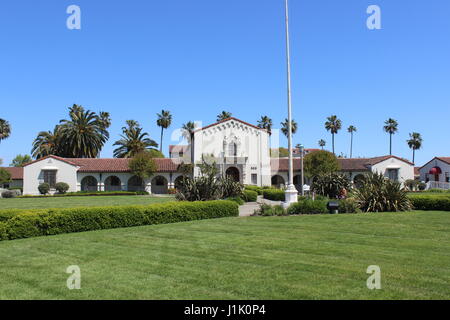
{"x":330,"y":184}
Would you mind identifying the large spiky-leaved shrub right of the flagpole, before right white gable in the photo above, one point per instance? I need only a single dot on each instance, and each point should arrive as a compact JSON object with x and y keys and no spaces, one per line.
{"x":378,"y":194}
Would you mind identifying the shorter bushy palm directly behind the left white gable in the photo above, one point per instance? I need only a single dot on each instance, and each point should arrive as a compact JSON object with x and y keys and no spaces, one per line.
{"x":47,"y":143}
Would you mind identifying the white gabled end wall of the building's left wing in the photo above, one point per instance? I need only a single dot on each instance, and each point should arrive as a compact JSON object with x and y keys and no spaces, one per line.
{"x":34,"y":176}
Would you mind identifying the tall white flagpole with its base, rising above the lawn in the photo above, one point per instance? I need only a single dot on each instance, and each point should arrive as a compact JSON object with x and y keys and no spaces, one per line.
{"x":291,"y":192}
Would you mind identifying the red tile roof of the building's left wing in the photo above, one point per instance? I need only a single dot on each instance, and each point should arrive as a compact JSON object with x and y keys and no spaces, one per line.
{"x":113,"y":164}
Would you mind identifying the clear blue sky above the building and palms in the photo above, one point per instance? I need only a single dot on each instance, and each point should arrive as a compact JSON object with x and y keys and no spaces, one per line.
{"x":197,"y":58}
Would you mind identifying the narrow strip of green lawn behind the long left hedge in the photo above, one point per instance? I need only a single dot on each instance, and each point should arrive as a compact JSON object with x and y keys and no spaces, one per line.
{"x":68,"y":202}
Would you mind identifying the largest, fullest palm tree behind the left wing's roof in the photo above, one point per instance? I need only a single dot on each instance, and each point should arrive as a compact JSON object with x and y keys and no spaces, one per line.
{"x":84,"y":134}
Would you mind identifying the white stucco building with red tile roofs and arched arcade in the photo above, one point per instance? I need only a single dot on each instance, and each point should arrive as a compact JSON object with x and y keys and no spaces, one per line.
{"x":240,"y":150}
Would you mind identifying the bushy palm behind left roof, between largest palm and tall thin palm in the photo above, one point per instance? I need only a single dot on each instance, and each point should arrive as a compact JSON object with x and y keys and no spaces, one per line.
{"x":133,"y":141}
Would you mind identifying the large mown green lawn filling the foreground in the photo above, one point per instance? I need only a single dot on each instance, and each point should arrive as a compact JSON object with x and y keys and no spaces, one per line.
{"x":302,"y":257}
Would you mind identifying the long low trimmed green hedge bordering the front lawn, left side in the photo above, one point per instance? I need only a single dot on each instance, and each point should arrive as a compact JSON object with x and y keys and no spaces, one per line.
{"x":45,"y":222}
